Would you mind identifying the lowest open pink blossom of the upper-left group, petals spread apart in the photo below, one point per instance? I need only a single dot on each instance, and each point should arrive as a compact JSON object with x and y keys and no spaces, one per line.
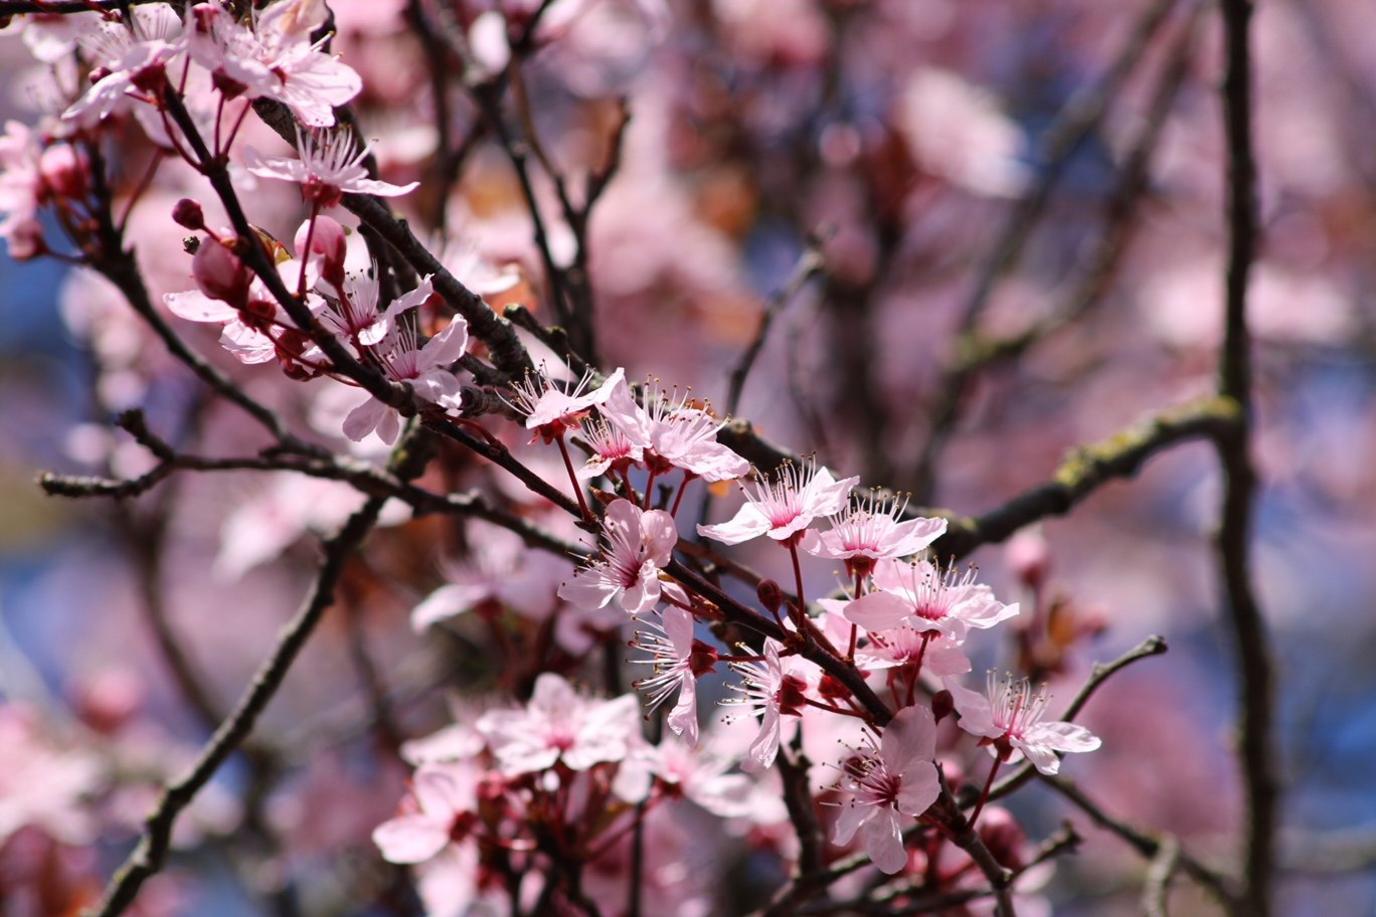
{"x":423,"y":367}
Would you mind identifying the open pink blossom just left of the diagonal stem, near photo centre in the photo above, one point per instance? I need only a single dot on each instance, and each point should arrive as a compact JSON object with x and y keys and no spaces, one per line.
{"x":638,"y":545}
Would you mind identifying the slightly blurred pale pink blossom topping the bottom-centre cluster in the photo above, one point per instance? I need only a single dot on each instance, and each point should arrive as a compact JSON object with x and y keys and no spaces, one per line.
{"x":561,"y":726}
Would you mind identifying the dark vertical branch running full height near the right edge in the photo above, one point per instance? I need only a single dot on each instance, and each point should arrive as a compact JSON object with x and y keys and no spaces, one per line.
{"x":1256,"y":689}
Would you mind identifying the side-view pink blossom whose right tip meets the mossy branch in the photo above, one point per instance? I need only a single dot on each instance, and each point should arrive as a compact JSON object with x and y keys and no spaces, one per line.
{"x":873,"y":531}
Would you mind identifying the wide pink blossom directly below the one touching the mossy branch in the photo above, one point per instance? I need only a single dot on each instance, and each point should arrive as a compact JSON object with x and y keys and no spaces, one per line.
{"x":927,"y":598}
